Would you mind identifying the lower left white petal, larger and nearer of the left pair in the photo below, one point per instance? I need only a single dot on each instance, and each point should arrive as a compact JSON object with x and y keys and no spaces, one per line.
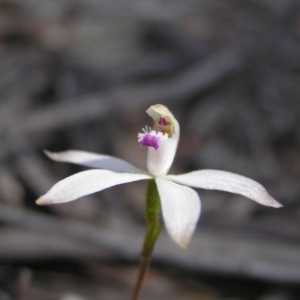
{"x":85,"y":183}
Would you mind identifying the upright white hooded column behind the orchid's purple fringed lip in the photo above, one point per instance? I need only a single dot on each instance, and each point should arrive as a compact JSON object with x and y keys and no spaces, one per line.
{"x":160,"y":161}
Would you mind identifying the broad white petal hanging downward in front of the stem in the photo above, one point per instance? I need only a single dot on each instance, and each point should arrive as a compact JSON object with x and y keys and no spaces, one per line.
{"x":180,"y":209}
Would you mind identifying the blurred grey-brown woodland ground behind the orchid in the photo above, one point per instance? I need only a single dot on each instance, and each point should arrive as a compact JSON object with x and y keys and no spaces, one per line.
{"x":80,"y":75}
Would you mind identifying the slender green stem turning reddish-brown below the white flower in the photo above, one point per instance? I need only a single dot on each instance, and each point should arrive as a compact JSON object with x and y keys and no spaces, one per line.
{"x":153,"y":223}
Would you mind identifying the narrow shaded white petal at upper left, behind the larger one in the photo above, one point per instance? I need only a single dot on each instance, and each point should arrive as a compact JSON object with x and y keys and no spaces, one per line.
{"x":94,"y":160}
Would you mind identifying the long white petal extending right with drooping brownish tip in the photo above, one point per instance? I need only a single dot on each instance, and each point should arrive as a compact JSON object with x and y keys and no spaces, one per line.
{"x":226,"y":181}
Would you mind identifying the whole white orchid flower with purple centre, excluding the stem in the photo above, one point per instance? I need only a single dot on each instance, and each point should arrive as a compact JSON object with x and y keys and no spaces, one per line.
{"x":179,"y":203}
